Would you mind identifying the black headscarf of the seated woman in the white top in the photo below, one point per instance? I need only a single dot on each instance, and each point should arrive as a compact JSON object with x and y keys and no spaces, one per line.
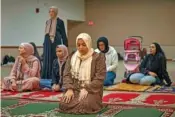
{"x":105,"y":41}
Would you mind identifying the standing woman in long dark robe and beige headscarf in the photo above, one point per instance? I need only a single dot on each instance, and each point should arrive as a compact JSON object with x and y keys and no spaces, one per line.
{"x":54,"y":35}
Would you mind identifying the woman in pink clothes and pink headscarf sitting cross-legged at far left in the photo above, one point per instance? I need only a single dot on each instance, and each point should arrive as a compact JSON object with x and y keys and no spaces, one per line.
{"x":25,"y":73}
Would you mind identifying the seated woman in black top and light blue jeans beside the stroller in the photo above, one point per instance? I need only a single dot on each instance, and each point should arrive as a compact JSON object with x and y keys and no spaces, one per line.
{"x":153,"y":68}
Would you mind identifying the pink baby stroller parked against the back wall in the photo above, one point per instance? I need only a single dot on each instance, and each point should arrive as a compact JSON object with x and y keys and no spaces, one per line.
{"x":132,"y":49}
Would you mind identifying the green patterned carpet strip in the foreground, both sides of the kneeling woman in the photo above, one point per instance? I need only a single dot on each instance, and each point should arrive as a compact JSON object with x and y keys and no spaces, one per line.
{"x":31,"y":108}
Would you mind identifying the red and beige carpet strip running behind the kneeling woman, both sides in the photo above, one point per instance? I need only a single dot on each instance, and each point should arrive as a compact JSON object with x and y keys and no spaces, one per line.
{"x":110,"y":97}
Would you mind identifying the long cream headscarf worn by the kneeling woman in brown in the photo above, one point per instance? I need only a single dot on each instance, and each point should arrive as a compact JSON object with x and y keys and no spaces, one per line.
{"x":81,"y":64}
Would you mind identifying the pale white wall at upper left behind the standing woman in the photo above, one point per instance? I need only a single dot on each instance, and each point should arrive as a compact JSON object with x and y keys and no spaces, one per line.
{"x":20,"y":23}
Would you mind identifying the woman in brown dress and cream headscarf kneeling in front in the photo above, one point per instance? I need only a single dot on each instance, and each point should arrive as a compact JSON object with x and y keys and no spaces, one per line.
{"x":83,"y":79}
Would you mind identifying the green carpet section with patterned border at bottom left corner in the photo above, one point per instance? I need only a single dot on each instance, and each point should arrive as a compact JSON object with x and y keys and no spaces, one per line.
{"x":33,"y":108}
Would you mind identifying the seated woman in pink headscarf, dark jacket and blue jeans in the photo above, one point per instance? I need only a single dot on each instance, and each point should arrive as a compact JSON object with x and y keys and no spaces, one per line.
{"x":55,"y":82}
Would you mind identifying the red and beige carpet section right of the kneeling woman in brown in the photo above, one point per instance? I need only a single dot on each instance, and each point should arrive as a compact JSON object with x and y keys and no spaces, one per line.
{"x":150,"y":99}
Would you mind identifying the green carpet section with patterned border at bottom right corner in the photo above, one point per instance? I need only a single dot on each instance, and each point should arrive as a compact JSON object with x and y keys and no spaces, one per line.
{"x":122,"y":110}
